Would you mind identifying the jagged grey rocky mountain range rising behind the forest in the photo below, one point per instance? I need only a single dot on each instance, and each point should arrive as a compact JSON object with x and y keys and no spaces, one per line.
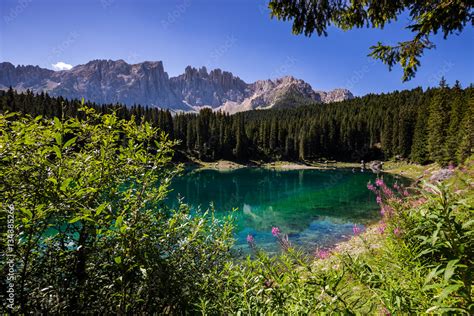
{"x":147,"y":83}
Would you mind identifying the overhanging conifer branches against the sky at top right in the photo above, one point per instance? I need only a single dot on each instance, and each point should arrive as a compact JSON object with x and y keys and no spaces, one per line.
{"x":424,"y":19}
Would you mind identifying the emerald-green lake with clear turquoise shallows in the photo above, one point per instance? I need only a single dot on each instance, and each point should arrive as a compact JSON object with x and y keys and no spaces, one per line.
{"x":316,"y":208}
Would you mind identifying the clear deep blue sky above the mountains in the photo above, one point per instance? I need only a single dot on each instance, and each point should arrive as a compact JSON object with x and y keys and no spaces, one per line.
{"x":234,"y":35}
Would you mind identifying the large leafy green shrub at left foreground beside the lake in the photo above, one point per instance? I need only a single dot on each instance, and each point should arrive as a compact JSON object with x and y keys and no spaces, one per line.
{"x":88,"y":233}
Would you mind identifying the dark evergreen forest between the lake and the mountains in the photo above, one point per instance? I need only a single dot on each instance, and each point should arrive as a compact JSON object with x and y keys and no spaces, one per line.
{"x":422,"y":126}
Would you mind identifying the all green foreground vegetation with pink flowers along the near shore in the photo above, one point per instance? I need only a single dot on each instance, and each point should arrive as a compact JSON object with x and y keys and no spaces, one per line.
{"x":91,"y":235}
